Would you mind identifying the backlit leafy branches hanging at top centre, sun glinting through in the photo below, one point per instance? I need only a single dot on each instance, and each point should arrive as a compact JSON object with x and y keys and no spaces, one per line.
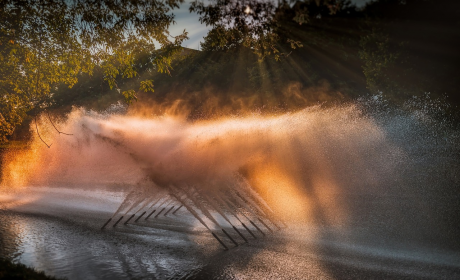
{"x":261,"y":26}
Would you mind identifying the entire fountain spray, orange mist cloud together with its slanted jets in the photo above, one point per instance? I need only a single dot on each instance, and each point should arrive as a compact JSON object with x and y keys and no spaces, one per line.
{"x":276,"y":155}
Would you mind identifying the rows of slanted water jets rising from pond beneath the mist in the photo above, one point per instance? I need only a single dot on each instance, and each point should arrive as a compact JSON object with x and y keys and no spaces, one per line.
{"x":212,"y":209}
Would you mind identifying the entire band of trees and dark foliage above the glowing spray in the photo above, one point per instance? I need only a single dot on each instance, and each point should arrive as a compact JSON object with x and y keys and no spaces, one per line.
{"x":114,"y":47}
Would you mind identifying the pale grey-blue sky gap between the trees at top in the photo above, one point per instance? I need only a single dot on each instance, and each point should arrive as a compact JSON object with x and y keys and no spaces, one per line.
{"x":196,"y":31}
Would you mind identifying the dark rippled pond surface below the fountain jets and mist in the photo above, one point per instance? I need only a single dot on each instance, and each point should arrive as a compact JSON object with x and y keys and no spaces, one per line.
{"x":58,"y":231}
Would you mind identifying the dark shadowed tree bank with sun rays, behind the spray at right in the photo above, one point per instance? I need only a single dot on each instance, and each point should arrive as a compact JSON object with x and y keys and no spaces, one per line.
{"x":345,"y":54}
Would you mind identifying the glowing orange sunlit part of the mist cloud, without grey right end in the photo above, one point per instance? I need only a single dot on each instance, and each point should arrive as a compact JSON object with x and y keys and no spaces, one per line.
{"x":298,"y":162}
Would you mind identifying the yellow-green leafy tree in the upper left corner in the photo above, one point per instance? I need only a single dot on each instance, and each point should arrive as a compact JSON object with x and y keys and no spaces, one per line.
{"x":48,"y":43}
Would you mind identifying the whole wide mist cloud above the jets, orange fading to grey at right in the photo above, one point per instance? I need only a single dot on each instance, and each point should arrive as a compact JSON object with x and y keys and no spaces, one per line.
{"x":308,"y":165}
